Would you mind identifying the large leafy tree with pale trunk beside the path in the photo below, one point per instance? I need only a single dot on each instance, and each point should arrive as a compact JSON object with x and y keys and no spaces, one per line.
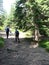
{"x":34,"y":11}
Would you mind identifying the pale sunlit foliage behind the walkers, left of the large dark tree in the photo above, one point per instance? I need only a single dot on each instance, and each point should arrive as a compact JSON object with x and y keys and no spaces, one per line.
{"x":10,"y":21}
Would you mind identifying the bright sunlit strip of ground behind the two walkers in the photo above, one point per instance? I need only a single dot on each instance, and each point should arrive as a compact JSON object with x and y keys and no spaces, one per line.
{"x":12,"y":35}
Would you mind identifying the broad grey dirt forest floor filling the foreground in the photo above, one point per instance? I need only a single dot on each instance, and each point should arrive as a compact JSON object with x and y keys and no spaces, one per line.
{"x":23,"y":53}
